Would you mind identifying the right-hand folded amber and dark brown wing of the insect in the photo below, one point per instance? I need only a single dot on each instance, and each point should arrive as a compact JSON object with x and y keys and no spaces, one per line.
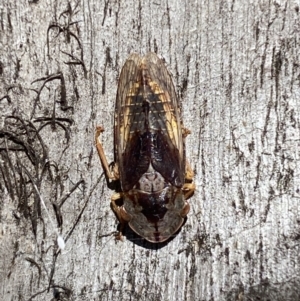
{"x":168,"y":156}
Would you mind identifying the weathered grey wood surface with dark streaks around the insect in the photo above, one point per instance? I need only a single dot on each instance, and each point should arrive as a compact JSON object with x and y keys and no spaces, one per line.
{"x":235,"y":66}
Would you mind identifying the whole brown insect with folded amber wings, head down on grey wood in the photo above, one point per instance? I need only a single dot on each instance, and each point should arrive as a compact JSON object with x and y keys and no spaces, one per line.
{"x":150,"y":161}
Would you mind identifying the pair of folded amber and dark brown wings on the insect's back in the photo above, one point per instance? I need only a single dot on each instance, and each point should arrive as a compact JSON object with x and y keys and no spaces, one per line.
{"x":146,"y":111}
